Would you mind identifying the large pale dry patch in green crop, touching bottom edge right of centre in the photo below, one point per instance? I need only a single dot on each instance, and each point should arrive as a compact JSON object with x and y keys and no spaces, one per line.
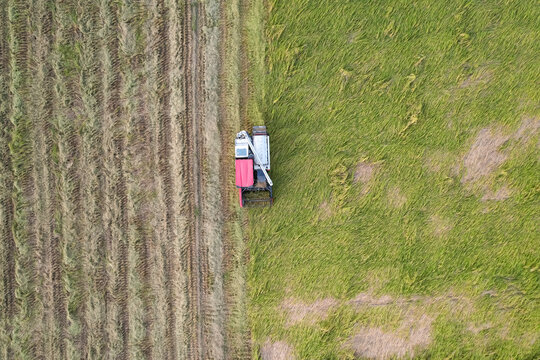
{"x":413,"y":334}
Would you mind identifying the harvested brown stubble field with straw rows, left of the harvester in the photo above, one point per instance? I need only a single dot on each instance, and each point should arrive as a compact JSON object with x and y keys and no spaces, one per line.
{"x":112,"y":209}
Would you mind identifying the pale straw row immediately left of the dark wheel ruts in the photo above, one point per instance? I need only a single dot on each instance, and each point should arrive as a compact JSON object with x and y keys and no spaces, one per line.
{"x":173,"y":179}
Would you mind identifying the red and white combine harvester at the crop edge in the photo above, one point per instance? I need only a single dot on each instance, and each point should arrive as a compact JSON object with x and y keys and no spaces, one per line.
{"x":252,"y":162}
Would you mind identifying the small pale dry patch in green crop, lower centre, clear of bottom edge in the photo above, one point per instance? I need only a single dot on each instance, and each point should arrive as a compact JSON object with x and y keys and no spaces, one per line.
{"x":298,"y":311}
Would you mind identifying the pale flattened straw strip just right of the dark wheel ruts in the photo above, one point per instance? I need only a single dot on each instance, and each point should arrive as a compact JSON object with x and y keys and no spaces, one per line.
{"x":212,"y":207}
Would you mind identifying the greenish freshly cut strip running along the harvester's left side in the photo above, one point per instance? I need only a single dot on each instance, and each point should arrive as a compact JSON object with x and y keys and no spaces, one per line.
{"x":237,"y":332}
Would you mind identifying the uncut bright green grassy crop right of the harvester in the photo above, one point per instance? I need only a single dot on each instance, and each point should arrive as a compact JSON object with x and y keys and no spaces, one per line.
{"x":405,"y":86}
